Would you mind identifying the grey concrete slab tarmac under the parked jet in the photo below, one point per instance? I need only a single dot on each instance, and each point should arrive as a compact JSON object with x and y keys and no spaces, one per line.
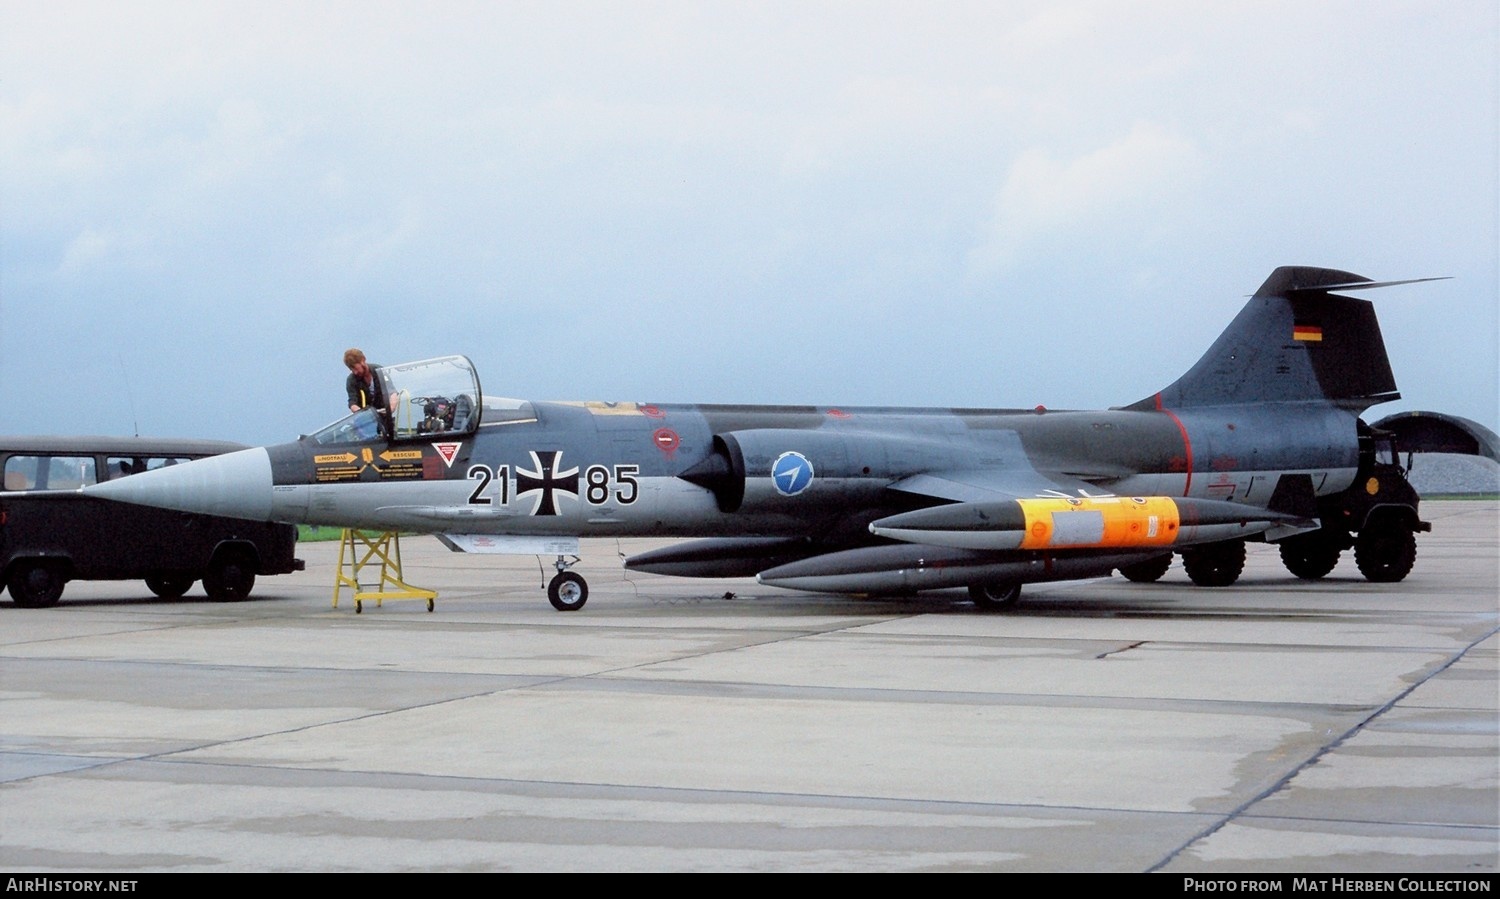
{"x":1277,"y":726}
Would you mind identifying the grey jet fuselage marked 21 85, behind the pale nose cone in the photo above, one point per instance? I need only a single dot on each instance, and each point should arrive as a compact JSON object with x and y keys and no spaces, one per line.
{"x":596,"y":469}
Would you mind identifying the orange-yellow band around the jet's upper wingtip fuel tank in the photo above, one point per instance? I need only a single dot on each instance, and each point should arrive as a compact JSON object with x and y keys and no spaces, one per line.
{"x":1099,"y":523}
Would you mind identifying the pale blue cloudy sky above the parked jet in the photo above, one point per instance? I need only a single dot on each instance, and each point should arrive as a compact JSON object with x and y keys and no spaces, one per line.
{"x":1063,"y":203}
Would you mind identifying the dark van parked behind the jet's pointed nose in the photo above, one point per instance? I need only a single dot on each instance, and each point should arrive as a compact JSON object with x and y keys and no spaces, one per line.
{"x":50,"y":534}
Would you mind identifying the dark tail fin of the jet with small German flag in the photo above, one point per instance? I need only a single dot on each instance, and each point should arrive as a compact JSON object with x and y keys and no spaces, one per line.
{"x":1294,"y":341}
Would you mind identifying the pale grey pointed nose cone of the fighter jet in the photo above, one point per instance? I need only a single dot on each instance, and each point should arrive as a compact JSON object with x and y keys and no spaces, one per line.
{"x":235,"y":486}
